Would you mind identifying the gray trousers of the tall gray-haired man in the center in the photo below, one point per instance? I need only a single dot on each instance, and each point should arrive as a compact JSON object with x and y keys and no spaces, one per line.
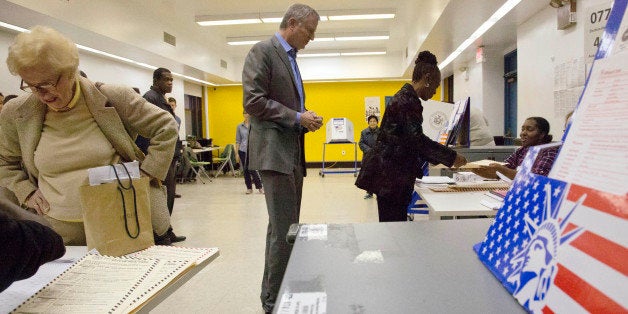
{"x":283,"y":201}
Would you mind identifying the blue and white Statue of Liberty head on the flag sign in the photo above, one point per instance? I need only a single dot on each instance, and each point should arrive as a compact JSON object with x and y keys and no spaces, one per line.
{"x":535,"y":266}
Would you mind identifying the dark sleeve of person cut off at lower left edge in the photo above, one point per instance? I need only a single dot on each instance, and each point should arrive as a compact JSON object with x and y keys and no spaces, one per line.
{"x":26,"y":242}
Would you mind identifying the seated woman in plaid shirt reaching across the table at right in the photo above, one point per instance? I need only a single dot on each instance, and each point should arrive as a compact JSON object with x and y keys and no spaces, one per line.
{"x":534,"y":131}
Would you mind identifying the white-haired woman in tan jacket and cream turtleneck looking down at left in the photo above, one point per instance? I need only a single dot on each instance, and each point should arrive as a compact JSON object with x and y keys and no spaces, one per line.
{"x":65,"y":125}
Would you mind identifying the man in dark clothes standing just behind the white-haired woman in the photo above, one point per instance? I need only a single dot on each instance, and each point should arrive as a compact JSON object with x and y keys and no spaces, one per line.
{"x":156,"y":95}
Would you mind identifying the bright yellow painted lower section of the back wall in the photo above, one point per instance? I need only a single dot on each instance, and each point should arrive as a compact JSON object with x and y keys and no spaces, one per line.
{"x":329,"y":100}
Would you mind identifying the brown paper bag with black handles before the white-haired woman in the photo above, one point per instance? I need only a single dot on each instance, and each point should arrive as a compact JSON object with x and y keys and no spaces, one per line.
{"x":107,"y":228}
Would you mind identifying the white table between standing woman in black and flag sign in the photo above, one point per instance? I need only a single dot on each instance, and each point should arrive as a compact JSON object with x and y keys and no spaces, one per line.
{"x":455,"y":204}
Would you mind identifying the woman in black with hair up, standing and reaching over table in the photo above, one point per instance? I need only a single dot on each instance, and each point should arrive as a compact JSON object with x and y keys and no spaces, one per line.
{"x":392,"y":166}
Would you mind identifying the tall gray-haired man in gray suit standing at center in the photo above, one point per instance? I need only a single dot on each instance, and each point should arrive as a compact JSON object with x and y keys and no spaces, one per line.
{"x":274,"y":98}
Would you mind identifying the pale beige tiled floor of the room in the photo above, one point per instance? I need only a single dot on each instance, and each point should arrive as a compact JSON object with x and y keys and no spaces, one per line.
{"x":219,"y":214}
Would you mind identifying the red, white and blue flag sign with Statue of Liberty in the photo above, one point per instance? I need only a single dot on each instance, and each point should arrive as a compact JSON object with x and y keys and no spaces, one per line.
{"x":558,"y":247}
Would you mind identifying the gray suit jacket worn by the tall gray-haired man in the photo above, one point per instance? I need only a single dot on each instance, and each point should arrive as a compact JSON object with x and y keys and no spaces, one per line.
{"x":272,"y":99}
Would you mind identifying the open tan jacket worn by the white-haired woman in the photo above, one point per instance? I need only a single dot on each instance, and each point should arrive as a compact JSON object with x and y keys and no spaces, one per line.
{"x":120,"y":113}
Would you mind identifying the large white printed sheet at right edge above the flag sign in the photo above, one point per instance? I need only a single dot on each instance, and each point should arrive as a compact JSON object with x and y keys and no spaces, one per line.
{"x":595,"y":151}
